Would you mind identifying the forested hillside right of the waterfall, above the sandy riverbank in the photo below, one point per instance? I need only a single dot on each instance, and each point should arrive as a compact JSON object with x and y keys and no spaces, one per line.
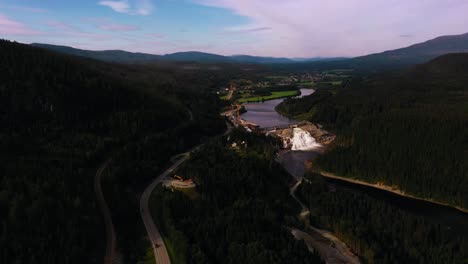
{"x":408,"y":129}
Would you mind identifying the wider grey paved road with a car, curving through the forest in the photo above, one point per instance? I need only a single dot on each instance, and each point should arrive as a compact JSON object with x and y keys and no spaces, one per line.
{"x":159,"y":248}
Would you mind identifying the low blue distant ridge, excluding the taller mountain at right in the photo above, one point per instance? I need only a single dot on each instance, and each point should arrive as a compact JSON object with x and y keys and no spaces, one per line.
{"x":192,"y":56}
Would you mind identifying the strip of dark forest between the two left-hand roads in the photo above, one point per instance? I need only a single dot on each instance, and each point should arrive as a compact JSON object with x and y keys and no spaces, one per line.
{"x":139,"y":162}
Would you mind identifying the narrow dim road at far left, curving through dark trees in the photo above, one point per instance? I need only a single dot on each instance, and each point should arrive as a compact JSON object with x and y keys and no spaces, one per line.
{"x":109,"y":257}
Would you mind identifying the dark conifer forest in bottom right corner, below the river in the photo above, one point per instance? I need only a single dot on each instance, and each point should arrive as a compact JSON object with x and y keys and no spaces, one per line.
{"x":378,"y":231}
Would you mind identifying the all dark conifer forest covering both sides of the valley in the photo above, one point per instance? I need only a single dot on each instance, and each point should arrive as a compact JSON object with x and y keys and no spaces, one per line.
{"x":61,"y":117}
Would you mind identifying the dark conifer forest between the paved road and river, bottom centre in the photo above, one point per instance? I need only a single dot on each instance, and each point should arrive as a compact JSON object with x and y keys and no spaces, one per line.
{"x":240,"y":209}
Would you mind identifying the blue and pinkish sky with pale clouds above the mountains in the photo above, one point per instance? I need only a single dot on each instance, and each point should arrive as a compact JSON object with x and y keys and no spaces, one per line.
{"x":278,"y":28}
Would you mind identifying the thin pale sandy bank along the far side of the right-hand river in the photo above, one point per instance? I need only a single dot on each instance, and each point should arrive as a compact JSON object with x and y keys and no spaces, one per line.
{"x":394,"y":190}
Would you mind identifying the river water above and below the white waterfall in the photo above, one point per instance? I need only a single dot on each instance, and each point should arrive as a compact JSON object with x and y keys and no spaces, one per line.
{"x":264,"y":114}
